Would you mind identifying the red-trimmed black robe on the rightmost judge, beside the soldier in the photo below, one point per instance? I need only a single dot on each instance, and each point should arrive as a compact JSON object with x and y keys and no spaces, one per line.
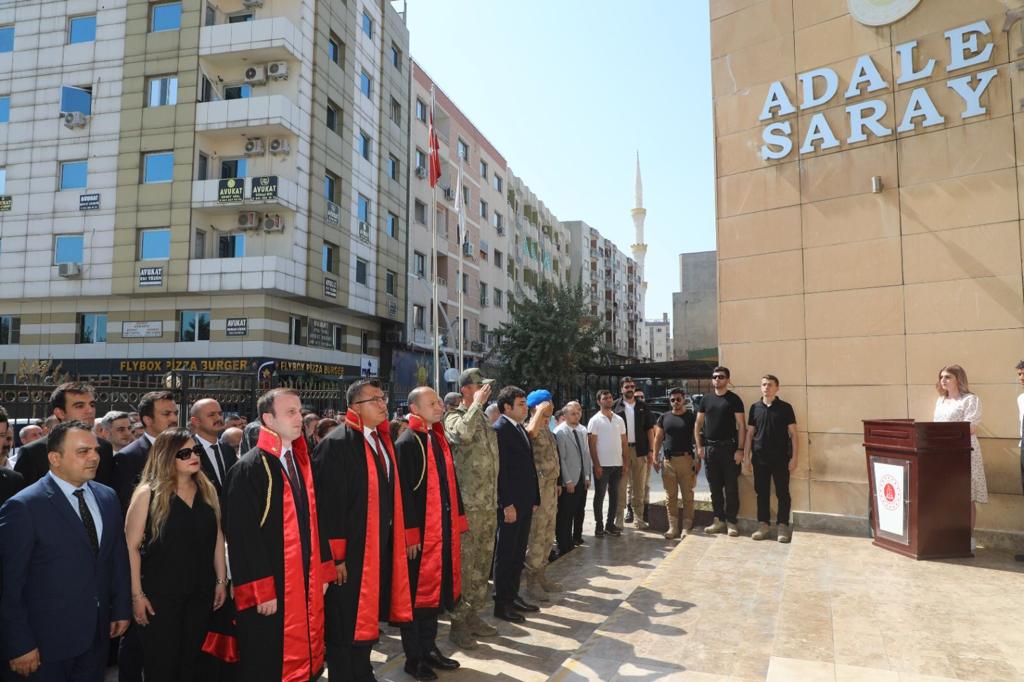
{"x":433,"y":501}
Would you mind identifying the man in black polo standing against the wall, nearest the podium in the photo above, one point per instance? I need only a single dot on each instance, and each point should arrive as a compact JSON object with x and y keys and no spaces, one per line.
{"x":772,"y":436}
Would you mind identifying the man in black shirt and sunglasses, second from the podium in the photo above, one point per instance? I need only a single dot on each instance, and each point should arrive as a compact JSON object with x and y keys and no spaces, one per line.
{"x":721,"y":448}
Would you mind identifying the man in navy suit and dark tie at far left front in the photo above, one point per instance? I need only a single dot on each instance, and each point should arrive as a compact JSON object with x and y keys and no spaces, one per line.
{"x":67,"y":589}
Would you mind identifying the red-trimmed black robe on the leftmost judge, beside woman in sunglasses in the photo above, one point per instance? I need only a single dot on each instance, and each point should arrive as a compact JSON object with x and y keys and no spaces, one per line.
{"x":263,"y":525}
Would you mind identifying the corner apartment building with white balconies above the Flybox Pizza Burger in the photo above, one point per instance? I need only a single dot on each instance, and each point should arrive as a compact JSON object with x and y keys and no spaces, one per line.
{"x":203,"y":186}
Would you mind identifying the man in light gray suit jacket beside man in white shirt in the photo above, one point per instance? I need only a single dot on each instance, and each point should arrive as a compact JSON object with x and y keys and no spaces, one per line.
{"x":577,"y":473}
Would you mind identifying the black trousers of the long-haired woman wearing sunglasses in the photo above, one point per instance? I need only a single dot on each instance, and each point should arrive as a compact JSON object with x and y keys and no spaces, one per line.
{"x":173,"y":641}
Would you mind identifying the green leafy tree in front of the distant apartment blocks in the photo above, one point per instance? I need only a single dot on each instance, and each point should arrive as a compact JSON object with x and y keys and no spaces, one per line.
{"x":547,"y":342}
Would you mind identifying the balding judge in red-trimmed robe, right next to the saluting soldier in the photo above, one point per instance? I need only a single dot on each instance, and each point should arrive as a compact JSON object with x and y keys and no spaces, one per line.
{"x":434,"y":506}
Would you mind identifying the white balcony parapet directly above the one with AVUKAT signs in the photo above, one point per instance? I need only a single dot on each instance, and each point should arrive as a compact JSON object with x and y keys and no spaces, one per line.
{"x":269,"y":116}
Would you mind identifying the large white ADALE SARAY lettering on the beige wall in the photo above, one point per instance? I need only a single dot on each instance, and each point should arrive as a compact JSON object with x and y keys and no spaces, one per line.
{"x":969,"y":46}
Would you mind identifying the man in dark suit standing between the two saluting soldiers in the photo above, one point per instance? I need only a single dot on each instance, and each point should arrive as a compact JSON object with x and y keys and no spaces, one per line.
{"x":519,"y":496}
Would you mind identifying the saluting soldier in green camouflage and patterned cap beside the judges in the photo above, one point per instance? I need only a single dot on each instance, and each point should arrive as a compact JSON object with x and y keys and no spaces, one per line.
{"x":476,"y":450}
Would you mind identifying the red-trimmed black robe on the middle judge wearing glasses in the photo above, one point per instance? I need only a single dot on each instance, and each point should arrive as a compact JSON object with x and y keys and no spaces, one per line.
{"x":363,"y":523}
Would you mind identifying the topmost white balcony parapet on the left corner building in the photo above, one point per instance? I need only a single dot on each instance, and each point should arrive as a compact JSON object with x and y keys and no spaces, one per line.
{"x":275,"y":39}
